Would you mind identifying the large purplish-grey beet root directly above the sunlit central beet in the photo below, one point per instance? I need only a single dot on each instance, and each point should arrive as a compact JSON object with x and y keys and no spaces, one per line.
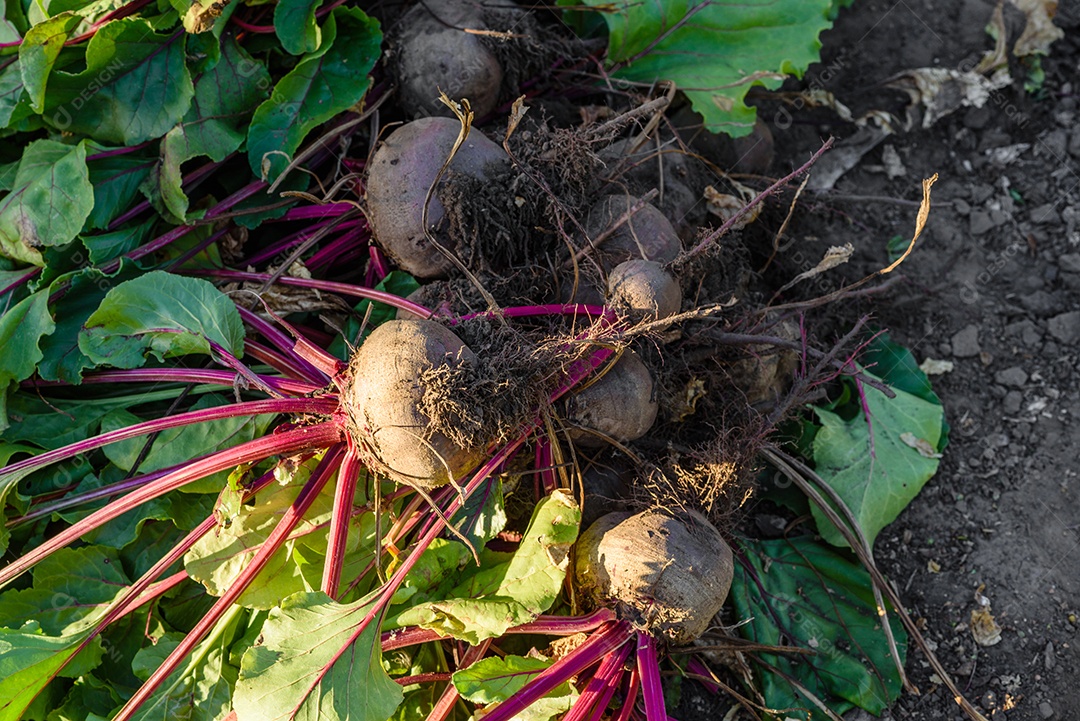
{"x":400,"y":175}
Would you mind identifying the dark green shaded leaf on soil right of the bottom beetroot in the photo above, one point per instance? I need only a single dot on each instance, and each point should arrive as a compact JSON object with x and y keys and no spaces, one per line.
{"x":798,"y":592}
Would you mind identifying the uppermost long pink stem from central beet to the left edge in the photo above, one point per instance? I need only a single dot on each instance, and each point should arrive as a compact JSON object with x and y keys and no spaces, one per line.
{"x":316,"y":406}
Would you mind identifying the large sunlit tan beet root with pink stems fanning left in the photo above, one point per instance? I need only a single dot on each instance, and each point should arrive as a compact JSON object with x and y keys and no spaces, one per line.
{"x":384,"y":402}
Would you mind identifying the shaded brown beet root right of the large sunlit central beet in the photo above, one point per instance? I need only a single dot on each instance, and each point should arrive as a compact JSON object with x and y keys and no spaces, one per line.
{"x":623,"y":404}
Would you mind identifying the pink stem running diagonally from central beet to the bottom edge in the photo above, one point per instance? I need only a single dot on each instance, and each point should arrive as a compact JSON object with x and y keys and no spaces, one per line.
{"x":277,"y":538}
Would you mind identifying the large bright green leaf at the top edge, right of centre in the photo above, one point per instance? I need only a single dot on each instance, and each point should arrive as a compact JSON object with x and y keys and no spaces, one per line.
{"x":715,"y":51}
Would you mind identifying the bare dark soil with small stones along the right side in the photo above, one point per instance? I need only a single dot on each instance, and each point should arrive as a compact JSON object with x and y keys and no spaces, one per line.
{"x":994,"y":287}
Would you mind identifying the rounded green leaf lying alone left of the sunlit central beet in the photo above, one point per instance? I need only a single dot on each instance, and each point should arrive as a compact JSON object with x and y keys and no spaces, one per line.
{"x":164,"y":315}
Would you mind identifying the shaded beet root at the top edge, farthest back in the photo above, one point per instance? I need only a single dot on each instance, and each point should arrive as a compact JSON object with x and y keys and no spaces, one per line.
{"x":435,"y":52}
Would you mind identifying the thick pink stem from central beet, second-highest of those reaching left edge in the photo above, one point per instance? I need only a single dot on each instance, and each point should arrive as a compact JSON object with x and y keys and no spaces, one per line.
{"x":289,"y":442}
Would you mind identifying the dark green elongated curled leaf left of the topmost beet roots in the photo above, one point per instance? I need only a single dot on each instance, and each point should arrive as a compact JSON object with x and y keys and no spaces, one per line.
{"x":325,"y":84}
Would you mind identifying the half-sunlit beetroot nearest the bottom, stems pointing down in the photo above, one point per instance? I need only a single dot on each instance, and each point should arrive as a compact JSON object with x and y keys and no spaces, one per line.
{"x":671,"y":574}
